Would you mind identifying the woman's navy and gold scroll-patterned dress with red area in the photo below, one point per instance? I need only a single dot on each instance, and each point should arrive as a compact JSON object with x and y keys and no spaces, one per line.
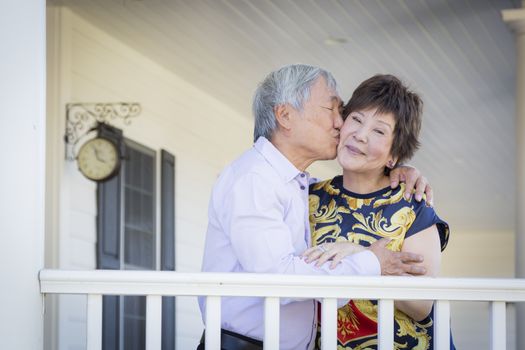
{"x":340,"y":215}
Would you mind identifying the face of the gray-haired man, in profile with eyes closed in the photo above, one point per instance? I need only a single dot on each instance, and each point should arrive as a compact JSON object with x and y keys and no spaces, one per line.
{"x":316,"y":131}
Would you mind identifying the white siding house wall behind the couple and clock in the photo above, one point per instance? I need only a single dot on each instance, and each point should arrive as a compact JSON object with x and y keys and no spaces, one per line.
{"x":88,"y":65}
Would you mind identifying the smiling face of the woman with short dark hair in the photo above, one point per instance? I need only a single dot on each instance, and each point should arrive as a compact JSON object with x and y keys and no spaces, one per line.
{"x":366,"y":140}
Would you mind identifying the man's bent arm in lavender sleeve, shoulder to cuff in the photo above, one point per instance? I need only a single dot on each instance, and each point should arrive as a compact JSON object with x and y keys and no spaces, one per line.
{"x":253,"y":216}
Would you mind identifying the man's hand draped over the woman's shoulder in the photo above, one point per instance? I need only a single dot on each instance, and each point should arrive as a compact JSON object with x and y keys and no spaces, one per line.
{"x":412,"y":179}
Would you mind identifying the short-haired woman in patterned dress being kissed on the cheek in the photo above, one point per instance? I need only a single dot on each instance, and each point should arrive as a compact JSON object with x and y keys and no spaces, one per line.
{"x":381,"y":129}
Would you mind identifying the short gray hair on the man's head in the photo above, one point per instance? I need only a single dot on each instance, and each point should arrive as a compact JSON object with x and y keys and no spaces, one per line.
{"x":290,"y":84}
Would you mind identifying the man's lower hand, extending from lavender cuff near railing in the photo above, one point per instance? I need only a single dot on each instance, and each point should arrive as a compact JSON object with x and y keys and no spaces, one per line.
{"x":396,"y":263}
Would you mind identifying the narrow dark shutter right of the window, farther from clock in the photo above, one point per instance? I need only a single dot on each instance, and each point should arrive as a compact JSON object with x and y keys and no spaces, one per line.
{"x":168,"y":244}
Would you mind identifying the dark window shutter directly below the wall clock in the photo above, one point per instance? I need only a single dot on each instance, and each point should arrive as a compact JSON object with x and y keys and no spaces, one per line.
{"x":108,"y":244}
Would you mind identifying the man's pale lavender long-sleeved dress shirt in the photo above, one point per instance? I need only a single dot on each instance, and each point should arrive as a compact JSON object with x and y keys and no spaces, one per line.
{"x":258,"y":222}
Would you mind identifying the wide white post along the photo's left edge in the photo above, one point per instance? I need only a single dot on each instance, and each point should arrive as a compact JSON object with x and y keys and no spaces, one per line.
{"x":22,"y":179}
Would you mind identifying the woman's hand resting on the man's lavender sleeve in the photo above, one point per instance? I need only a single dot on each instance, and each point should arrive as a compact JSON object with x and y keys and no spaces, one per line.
{"x":331,"y":251}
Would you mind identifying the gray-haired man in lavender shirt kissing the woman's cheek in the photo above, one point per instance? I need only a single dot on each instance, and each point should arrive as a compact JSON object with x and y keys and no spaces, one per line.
{"x":258,"y":212}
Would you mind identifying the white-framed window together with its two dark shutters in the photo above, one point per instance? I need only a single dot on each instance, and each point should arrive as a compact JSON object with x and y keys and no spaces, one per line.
{"x":127,"y":240}
